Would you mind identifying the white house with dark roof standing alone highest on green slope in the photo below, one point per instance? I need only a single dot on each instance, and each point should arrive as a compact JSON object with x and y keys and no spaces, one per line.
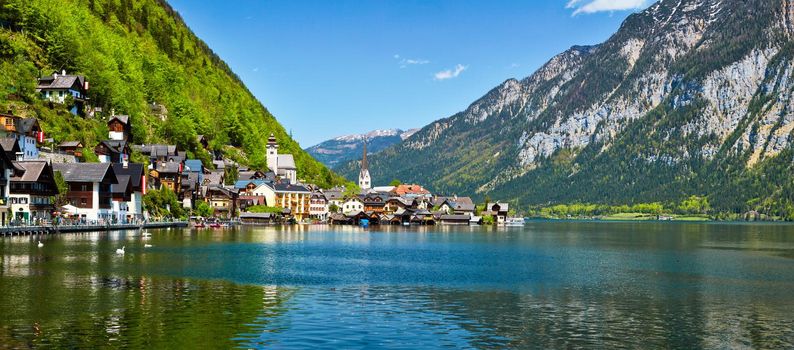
{"x":64,"y":88}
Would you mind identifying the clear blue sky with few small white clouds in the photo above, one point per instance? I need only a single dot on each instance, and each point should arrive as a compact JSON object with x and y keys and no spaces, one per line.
{"x":327,"y":68}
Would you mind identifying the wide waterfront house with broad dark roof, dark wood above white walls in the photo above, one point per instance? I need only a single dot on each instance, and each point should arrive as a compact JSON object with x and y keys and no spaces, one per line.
{"x":89,"y":188}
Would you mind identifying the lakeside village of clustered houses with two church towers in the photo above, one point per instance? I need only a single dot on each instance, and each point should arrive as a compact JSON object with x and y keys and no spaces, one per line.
{"x":113,"y":190}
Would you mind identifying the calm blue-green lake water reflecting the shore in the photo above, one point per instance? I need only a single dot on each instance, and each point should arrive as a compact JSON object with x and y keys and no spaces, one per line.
{"x":547,"y":285}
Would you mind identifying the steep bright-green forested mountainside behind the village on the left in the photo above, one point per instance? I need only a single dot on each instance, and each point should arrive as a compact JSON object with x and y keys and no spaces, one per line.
{"x":135,"y":53}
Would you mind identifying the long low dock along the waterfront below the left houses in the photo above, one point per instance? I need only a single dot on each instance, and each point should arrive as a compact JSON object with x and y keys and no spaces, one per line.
{"x":53,"y":229}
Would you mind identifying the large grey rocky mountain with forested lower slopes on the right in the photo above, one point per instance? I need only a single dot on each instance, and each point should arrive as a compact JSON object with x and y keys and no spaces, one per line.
{"x":688,"y":97}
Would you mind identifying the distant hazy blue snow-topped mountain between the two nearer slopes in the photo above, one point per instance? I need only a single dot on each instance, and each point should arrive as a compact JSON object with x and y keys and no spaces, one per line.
{"x":349,"y":147}
